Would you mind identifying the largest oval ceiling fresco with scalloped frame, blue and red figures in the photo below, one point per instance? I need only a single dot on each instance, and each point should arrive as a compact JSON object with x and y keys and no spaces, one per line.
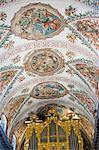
{"x":37,"y":21}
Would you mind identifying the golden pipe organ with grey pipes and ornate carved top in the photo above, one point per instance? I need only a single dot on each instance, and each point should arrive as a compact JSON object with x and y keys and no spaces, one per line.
{"x":54,"y":133}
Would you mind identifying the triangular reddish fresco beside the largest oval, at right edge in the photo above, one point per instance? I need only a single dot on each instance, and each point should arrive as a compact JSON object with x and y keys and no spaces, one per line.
{"x":88,"y":27}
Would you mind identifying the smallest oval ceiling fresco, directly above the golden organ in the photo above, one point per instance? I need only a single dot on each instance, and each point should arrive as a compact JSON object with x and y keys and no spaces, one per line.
{"x":47,"y":90}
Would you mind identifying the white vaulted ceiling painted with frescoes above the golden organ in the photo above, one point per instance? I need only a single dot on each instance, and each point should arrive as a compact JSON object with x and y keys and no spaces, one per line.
{"x":49,"y":56}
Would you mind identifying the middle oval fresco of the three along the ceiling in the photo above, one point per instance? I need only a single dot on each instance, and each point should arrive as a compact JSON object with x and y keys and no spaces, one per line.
{"x":44,"y":62}
